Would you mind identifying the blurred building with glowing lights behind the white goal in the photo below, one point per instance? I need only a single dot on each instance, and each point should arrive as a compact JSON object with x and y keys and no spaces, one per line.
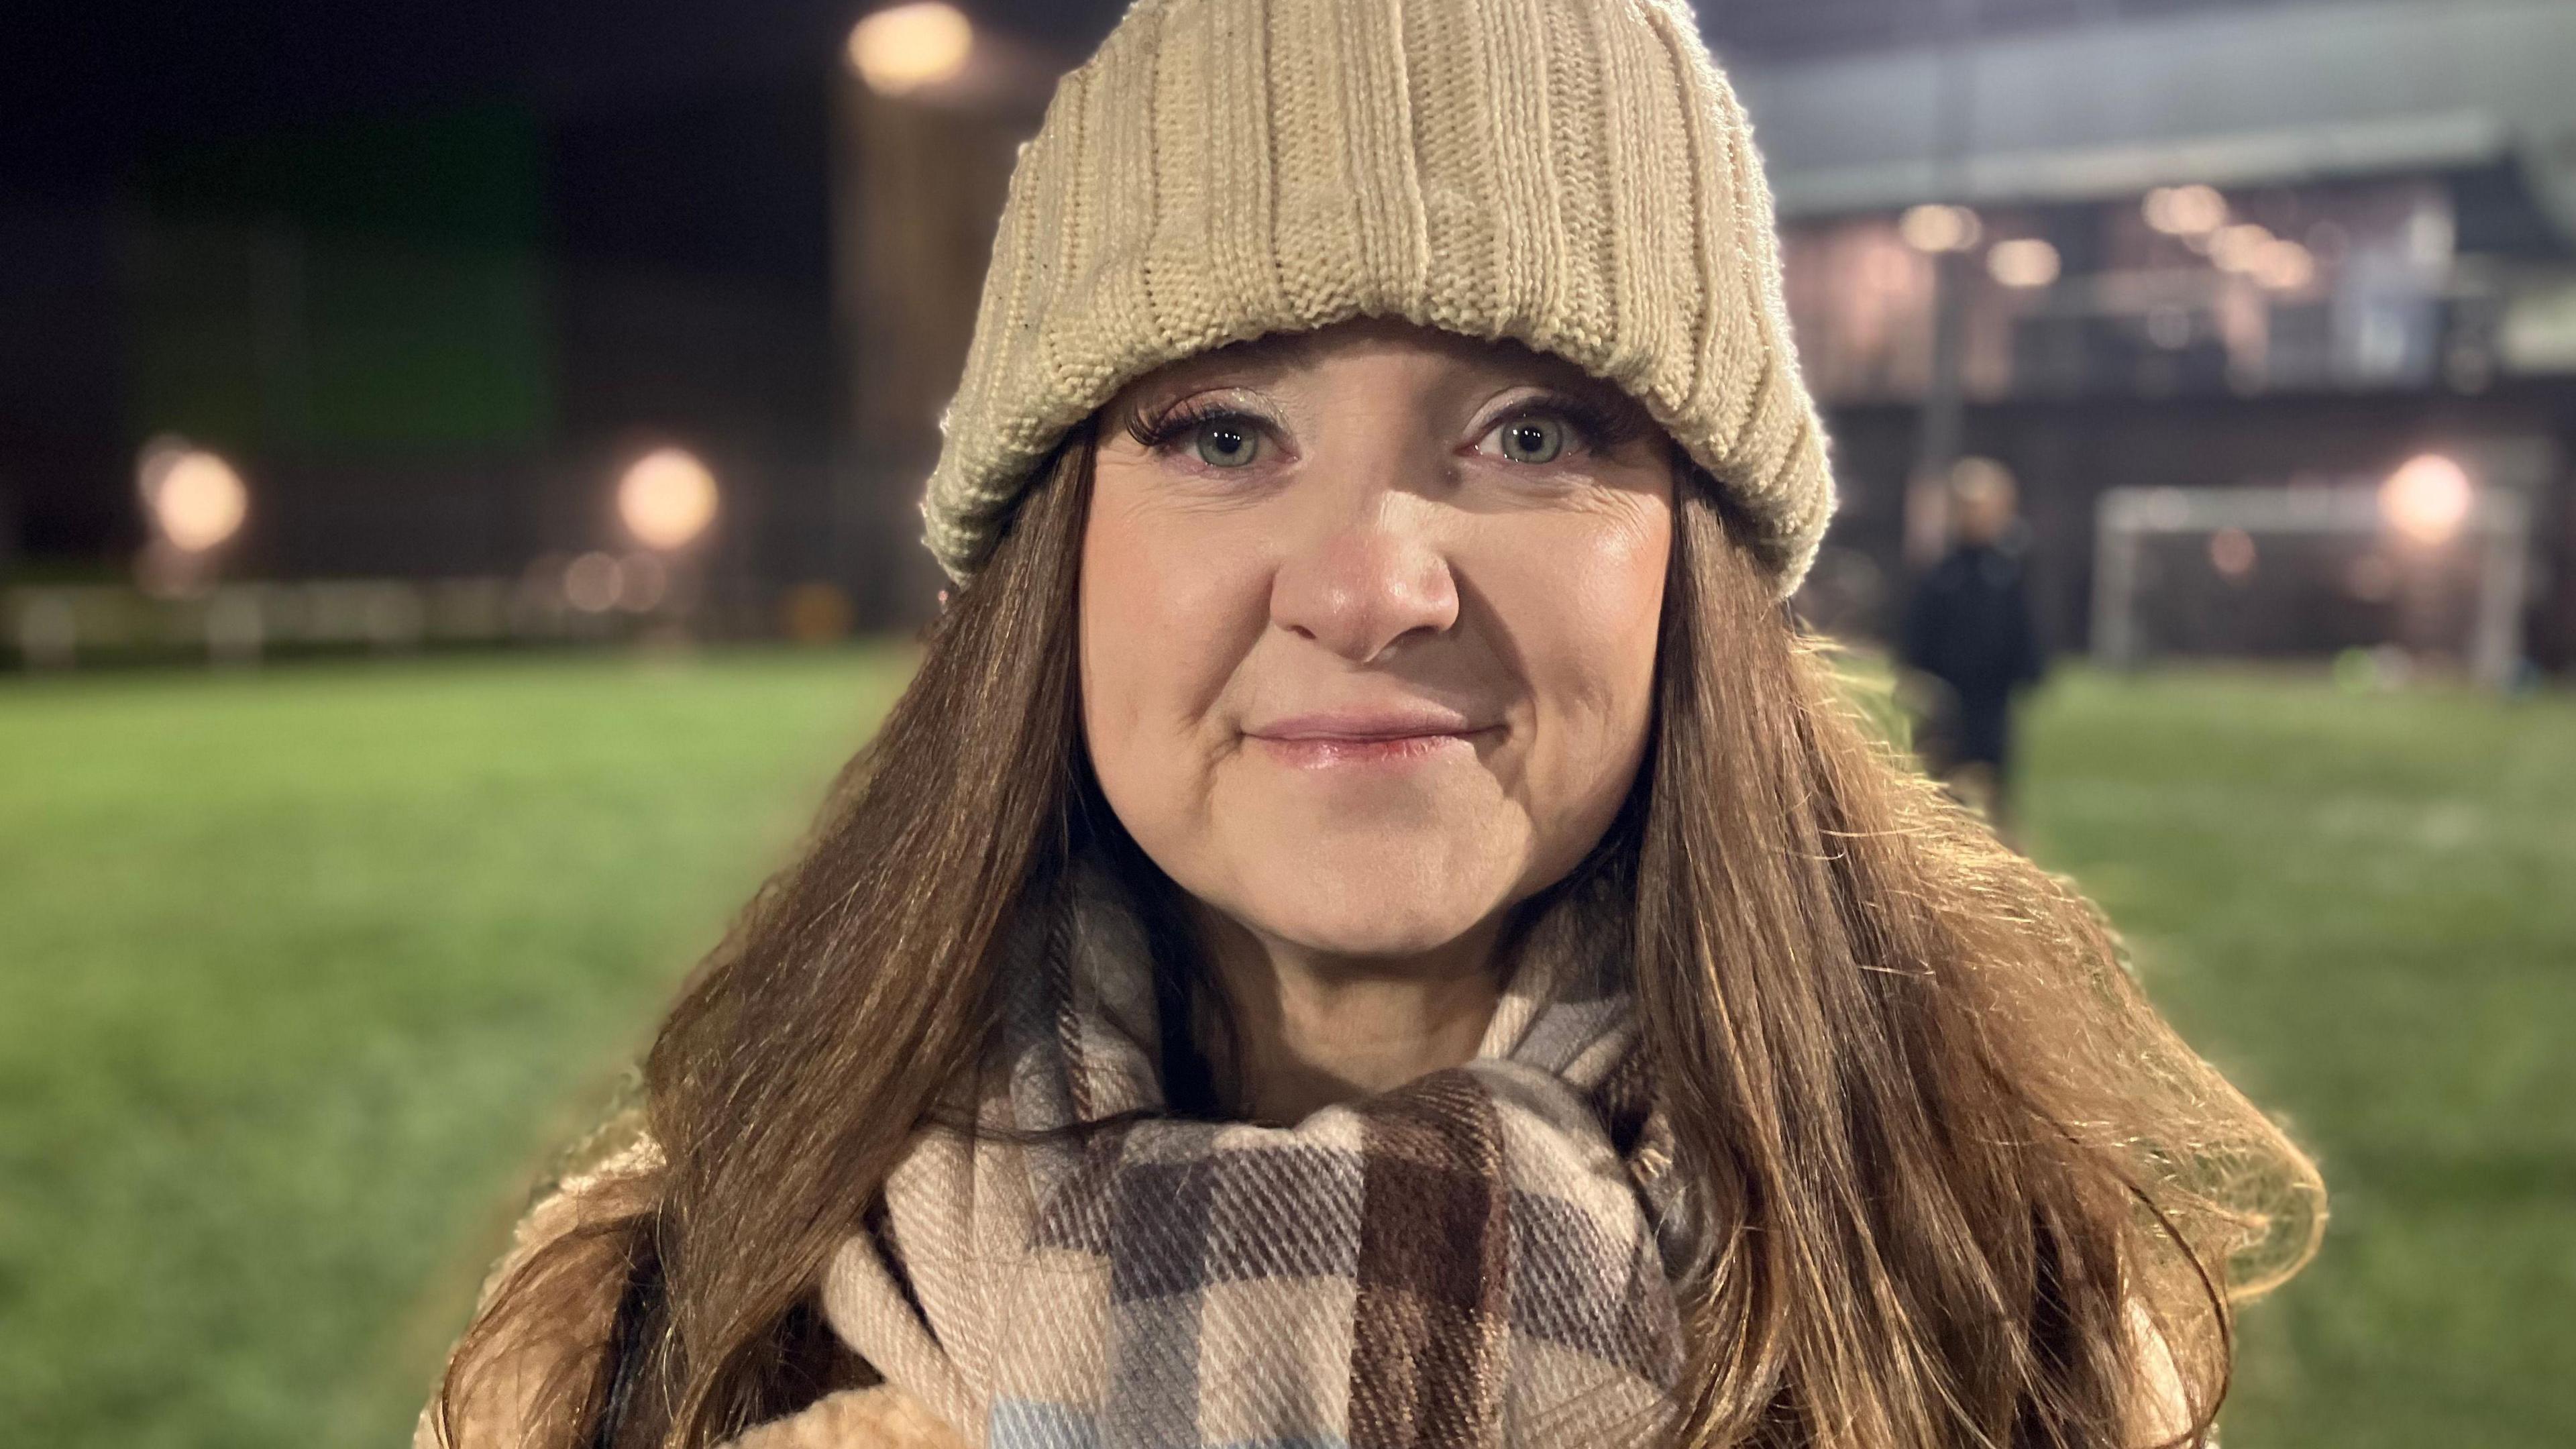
{"x":2168,"y":246}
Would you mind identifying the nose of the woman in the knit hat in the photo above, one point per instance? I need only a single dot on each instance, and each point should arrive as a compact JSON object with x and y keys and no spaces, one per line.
{"x":1367,"y":584}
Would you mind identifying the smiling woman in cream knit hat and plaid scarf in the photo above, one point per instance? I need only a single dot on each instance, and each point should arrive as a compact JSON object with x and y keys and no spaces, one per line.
{"x":1369,"y":924}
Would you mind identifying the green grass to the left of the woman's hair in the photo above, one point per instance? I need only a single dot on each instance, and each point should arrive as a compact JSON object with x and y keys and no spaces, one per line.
{"x":305,"y":973}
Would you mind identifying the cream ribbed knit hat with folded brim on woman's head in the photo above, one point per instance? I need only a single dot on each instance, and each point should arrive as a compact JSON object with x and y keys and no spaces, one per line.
{"x":1573,"y":174}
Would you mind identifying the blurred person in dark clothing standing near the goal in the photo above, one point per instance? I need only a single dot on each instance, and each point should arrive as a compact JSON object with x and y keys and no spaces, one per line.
{"x":1969,"y":643}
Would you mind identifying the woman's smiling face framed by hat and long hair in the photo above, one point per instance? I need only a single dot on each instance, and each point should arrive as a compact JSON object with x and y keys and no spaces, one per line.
{"x":1369,"y":628}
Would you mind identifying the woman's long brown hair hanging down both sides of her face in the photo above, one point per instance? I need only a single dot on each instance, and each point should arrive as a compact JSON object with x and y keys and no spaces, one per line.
{"x":1969,"y":1187}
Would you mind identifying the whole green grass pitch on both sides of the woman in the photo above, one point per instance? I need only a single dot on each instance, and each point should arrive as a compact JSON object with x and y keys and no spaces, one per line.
{"x":305,"y":973}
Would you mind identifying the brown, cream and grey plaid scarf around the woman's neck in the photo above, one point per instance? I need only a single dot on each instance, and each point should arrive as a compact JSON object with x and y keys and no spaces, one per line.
{"x":1482,"y":1257}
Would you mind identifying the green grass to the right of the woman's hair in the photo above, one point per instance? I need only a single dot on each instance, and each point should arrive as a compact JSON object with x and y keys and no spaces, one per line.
{"x":2366,"y":911}
